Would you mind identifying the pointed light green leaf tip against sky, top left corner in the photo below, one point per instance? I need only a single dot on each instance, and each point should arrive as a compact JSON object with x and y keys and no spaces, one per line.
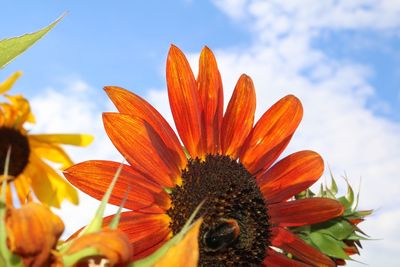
{"x":10,"y":48}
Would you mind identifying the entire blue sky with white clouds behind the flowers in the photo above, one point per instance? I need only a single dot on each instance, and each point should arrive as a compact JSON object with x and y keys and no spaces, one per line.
{"x":341,"y":58}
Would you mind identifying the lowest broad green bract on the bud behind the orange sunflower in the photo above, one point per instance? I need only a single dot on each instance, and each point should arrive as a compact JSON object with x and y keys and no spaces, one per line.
{"x":329,"y":246}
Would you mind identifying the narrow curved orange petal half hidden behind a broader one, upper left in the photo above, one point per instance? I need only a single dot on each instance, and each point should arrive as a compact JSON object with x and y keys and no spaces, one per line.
{"x":130,"y":103}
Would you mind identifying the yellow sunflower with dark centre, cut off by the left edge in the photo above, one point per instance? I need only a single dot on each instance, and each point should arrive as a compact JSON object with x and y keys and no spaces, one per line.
{"x":28,"y":169}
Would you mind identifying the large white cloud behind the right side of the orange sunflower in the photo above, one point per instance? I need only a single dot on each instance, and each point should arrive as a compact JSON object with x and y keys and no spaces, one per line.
{"x":337,"y":122}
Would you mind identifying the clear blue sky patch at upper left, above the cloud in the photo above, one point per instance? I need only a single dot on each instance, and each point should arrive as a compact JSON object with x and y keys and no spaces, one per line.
{"x":119,"y":42}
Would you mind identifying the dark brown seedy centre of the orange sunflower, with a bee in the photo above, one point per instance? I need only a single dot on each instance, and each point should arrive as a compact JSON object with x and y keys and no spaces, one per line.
{"x":235,"y":229}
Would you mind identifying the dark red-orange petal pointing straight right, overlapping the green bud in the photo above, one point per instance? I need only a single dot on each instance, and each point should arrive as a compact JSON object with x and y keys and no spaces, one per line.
{"x":304,"y":211}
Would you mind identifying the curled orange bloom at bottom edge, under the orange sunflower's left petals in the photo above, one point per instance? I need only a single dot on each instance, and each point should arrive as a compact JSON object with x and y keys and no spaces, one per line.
{"x":112,"y":245}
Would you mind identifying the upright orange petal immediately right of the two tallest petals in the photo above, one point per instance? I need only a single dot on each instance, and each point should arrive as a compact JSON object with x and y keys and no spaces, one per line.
{"x":239,"y":117}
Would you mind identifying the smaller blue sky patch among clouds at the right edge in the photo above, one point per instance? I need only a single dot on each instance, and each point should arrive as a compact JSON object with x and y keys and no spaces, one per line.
{"x":380,"y":51}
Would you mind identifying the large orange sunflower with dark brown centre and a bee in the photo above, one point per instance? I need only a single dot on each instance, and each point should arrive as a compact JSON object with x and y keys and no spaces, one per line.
{"x":249,"y":205}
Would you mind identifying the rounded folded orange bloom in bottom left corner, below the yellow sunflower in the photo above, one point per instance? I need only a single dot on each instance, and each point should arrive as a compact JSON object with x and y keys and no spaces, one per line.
{"x":33,"y":231}
